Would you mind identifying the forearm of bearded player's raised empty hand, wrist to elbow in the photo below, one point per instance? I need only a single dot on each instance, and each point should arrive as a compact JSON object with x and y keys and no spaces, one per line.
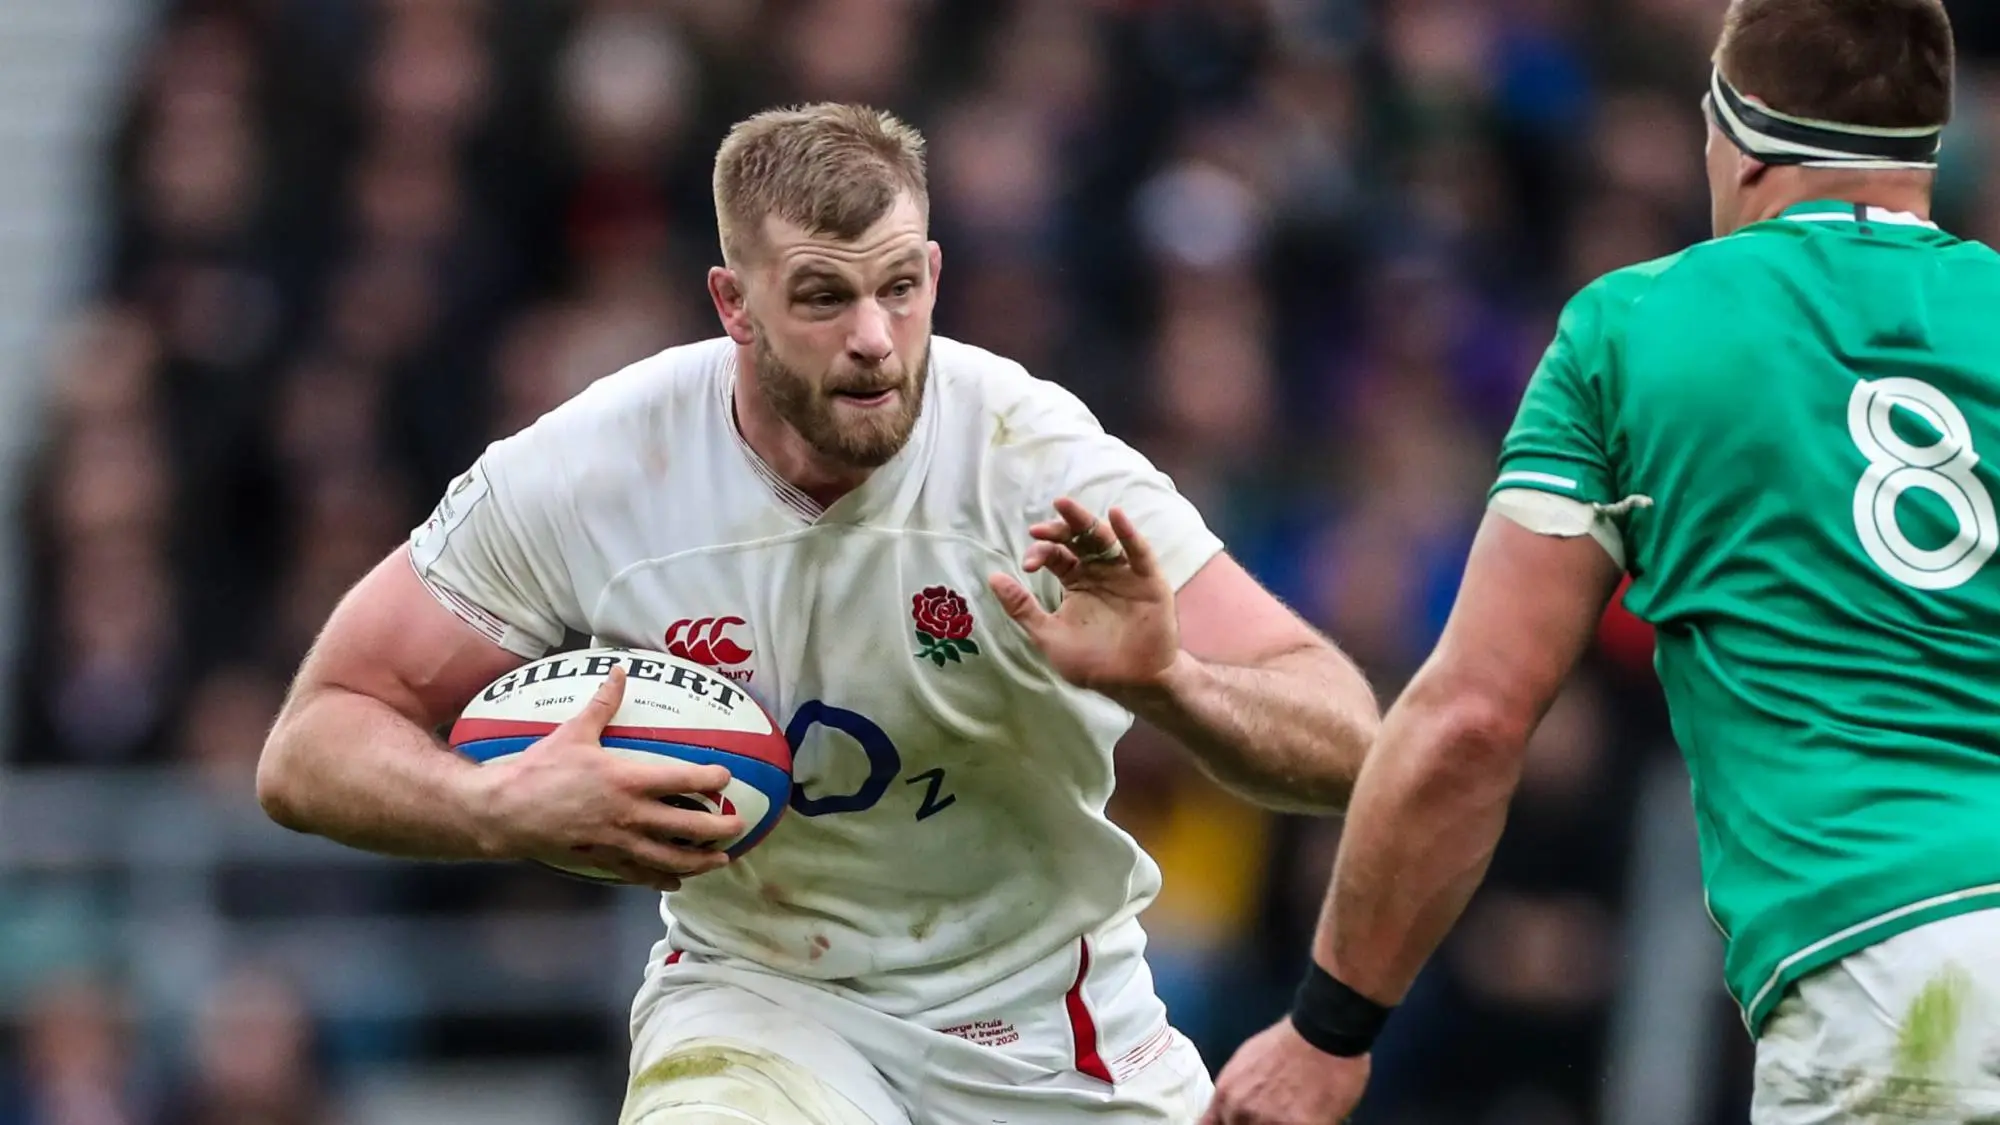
{"x":1289,"y":734}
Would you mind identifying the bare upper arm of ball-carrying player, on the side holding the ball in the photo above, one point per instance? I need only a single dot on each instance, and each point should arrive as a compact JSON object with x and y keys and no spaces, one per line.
{"x":393,"y":642}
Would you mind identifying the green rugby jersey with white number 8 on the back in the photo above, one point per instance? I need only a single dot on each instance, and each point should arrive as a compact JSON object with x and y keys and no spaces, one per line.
{"x":1813,"y":411}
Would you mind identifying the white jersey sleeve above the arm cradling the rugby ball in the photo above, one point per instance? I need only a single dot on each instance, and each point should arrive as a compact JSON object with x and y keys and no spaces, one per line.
{"x":493,"y":549}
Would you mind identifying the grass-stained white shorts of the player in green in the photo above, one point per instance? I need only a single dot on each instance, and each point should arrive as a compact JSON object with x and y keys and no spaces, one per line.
{"x":1903,"y":1032}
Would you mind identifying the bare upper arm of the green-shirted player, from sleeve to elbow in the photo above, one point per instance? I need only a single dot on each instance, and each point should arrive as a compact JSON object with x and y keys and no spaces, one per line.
{"x":1527,"y":612}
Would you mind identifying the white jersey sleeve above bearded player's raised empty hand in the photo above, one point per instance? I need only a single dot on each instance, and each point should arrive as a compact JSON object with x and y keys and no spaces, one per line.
{"x":1101,"y":473}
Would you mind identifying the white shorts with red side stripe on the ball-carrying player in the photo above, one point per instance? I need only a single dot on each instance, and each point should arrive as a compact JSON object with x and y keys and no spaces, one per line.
{"x":727,"y":1044}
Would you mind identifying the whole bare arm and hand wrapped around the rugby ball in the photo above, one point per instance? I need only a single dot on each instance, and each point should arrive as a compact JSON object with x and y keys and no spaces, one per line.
{"x":355,"y":756}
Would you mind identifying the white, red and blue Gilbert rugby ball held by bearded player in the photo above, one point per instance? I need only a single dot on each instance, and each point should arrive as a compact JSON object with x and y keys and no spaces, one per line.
{"x":671,"y":708}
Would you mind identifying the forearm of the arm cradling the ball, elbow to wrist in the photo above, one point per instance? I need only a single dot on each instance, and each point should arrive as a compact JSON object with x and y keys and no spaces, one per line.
{"x":351,"y":770}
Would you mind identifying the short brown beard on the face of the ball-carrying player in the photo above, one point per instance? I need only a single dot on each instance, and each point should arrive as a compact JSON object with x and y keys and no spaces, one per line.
{"x":845,"y":435}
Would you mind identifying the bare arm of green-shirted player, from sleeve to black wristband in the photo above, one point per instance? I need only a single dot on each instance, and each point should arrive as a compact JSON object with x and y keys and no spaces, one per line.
{"x":1433,"y":798}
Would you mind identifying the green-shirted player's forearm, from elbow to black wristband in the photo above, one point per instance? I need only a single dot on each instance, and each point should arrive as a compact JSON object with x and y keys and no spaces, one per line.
{"x":1427,"y":818}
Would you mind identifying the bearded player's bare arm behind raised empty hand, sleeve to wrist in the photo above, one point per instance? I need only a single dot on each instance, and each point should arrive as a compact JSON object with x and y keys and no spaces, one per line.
{"x":1269,"y":708}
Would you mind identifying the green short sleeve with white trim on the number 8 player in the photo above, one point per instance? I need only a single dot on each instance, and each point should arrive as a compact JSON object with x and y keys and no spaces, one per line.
{"x":1559,"y":443}
